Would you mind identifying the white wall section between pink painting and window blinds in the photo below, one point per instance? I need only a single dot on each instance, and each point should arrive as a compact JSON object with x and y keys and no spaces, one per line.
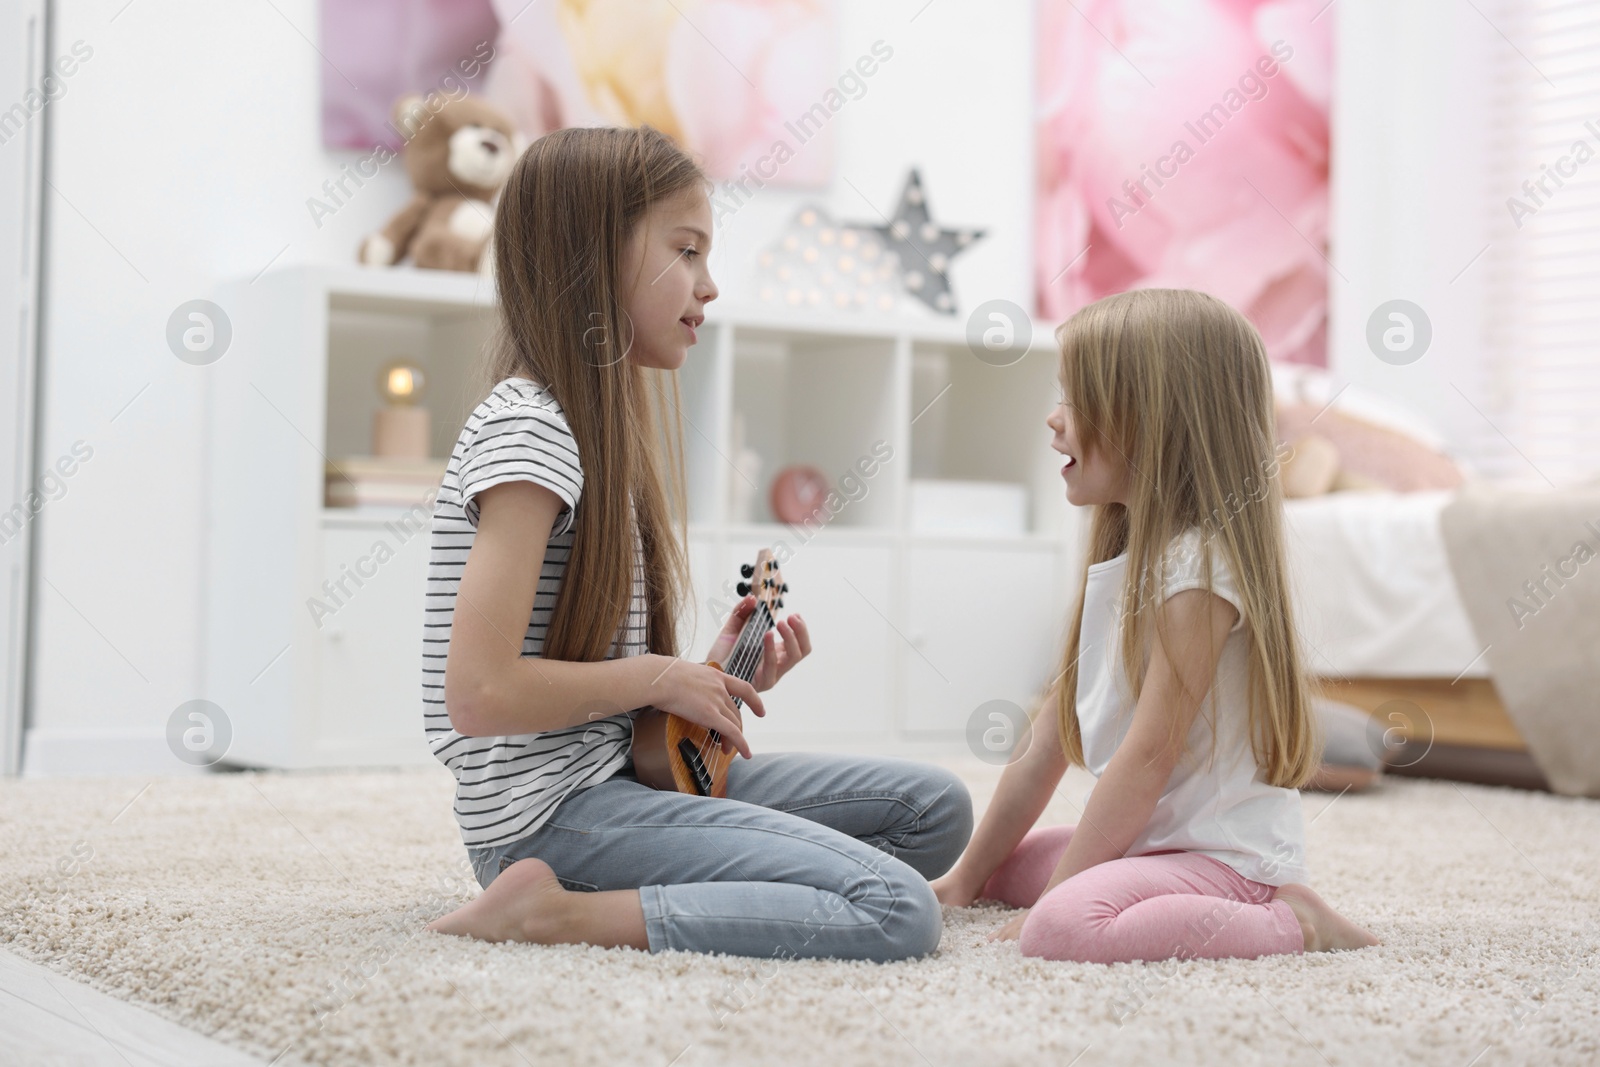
{"x":1410,"y":202}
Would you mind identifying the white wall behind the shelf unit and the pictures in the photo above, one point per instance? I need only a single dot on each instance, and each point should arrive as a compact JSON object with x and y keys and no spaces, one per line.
{"x":185,"y":150}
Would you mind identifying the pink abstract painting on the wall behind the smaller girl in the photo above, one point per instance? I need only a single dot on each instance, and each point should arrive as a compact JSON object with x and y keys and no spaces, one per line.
{"x":1185,"y":145}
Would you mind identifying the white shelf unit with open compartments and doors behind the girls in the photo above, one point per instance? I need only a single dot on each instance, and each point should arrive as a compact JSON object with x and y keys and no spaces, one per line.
{"x":911,"y":631}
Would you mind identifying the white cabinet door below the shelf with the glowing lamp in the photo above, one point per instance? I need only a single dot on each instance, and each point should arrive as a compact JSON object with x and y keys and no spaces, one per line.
{"x":370,"y":650}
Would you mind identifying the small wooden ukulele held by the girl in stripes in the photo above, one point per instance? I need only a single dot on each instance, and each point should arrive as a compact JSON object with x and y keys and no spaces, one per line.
{"x":686,"y":757}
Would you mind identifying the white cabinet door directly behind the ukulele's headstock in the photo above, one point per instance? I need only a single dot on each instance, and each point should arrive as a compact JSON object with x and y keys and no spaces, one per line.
{"x":842,"y":695}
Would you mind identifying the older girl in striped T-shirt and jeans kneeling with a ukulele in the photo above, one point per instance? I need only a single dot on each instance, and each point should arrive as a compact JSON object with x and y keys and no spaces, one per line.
{"x":553,"y":605}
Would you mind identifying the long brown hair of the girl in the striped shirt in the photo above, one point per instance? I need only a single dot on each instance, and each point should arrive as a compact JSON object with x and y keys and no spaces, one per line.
{"x":572,"y":202}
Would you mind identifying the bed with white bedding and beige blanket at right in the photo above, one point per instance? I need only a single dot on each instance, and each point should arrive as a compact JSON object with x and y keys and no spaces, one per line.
{"x":1463,"y":617}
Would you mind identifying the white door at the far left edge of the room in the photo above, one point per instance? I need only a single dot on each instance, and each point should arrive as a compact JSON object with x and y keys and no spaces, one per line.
{"x":22,"y":169}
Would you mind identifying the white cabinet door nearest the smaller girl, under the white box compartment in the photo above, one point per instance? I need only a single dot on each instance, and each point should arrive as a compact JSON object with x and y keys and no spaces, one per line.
{"x":985,"y":625}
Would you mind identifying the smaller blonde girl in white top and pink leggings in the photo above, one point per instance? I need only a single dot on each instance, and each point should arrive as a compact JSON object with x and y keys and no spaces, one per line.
{"x":1182,"y":687}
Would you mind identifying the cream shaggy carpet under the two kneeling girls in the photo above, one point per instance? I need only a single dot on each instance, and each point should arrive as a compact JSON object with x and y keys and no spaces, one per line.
{"x":284,"y":913}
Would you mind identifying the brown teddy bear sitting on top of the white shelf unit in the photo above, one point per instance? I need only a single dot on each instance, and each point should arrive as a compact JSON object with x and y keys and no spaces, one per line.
{"x":458,"y":153}
